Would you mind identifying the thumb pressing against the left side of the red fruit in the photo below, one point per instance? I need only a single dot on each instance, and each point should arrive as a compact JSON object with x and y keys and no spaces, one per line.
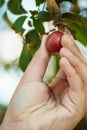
{"x":38,"y":64}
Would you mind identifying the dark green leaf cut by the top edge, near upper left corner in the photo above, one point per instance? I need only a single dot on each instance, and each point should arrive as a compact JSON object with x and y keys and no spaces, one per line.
{"x":15,"y":7}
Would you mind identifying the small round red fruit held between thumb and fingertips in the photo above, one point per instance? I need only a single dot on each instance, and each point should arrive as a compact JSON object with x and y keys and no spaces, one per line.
{"x":53,"y":42}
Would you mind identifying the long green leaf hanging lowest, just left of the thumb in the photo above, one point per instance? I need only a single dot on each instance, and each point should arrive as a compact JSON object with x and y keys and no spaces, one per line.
{"x":30,"y":47}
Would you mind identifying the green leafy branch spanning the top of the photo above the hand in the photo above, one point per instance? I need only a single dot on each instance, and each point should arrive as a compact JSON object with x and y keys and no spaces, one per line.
{"x":71,"y":20}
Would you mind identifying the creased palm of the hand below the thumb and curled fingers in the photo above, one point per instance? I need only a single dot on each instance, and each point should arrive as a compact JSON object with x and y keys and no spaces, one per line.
{"x":46,"y":108}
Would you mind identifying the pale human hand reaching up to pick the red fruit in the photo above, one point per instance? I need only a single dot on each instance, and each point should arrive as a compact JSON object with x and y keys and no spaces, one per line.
{"x":60,"y":106}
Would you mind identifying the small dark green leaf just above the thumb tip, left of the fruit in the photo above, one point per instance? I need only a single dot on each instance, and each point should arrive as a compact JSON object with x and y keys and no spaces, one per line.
{"x":39,"y":26}
